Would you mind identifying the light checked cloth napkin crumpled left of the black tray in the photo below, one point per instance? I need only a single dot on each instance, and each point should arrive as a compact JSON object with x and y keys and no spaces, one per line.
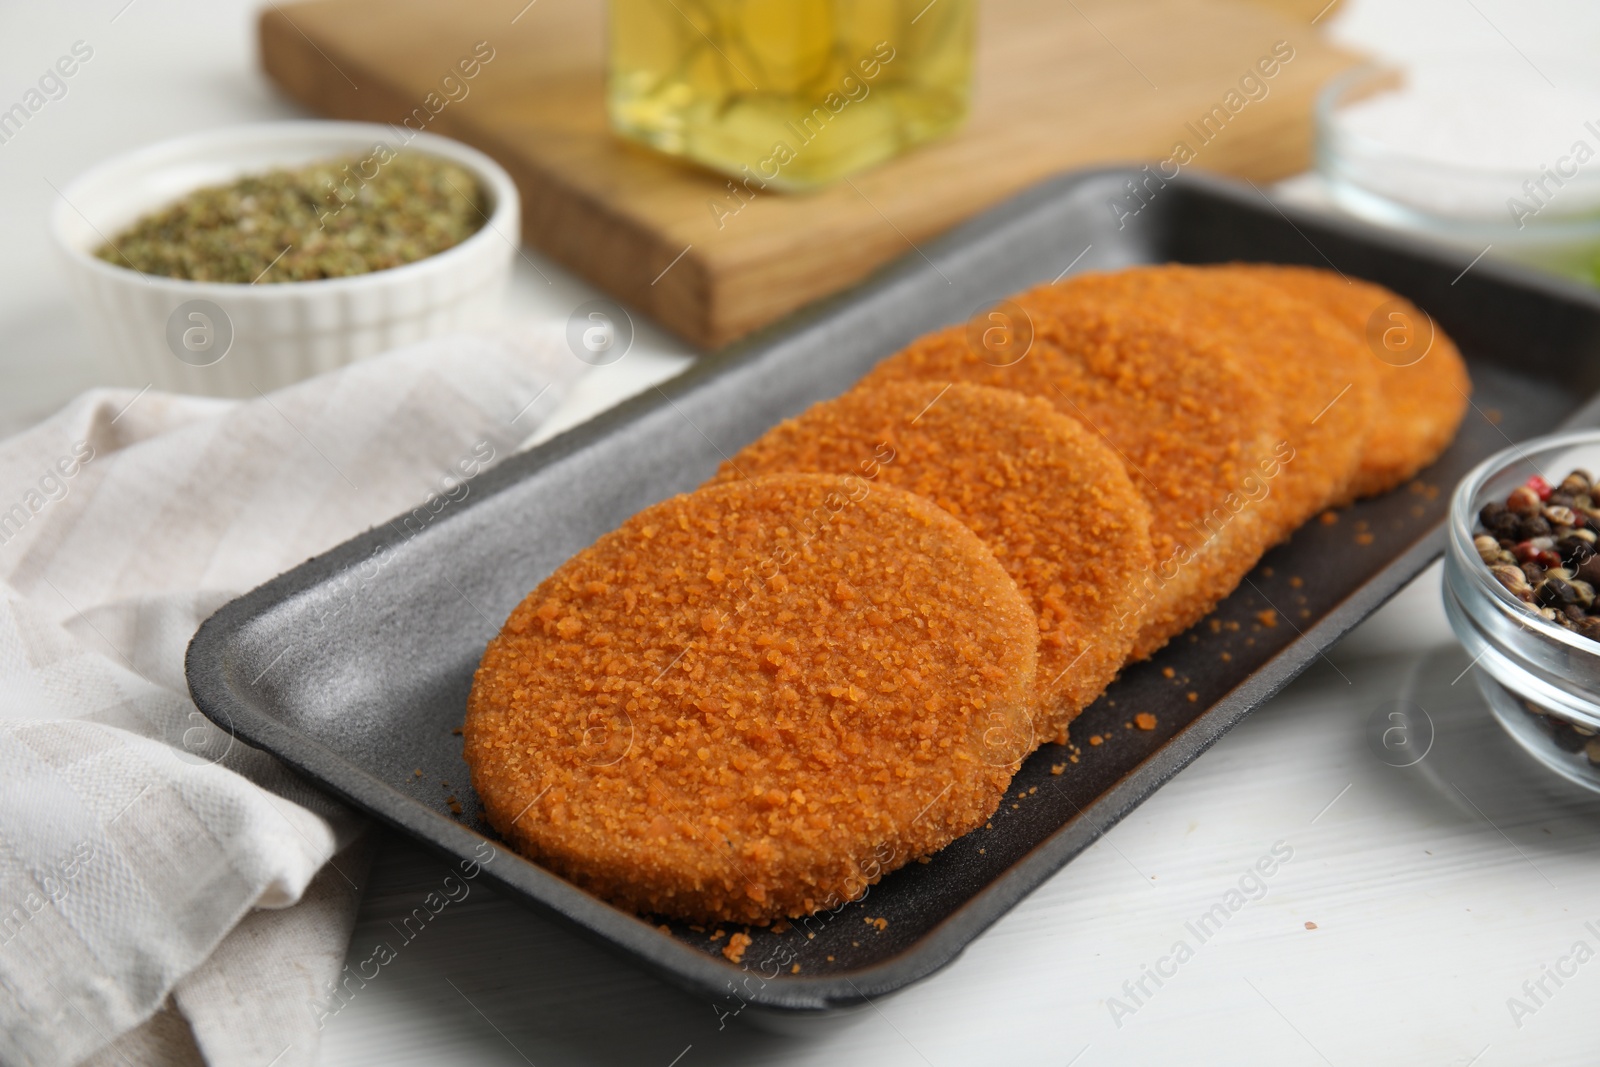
{"x":161,"y":897}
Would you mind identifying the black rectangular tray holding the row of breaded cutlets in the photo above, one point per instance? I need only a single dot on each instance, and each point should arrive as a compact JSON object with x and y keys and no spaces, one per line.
{"x":359,"y":681}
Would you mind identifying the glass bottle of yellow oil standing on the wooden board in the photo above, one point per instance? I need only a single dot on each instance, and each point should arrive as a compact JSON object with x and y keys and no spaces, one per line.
{"x":796,"y":94}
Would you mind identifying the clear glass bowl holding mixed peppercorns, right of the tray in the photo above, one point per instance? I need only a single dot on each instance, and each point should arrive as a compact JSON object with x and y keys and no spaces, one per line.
{"x":1540,"y":679}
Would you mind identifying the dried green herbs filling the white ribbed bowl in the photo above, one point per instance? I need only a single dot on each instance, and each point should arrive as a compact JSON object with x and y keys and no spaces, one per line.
{"x":329,"y":220}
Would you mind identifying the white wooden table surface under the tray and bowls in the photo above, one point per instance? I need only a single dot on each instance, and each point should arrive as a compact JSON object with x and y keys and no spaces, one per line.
{"x":1438,"y":892}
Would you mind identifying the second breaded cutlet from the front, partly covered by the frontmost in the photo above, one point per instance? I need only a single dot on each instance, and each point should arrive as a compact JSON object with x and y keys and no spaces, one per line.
{"x":1049,"y":497}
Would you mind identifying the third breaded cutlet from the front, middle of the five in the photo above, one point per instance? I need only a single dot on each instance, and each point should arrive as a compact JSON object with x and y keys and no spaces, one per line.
{"x":1196,"y":433}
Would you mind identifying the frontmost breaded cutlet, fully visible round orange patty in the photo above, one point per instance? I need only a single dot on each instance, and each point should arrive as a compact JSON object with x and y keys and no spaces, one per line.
{"x":753,"y":700}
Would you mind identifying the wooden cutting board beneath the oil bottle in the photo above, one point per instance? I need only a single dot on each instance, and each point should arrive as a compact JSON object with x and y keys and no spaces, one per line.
{"x":1058,"y":84}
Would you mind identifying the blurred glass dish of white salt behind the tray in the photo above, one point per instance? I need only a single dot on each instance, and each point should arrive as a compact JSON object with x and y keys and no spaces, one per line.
{"x":1470,"y":158}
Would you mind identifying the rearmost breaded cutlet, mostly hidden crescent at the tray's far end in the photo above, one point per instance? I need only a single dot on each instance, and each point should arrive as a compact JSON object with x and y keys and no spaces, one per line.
{"x":1423,"y":385}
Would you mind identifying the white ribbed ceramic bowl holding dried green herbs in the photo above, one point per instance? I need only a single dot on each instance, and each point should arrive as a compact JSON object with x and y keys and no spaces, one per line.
{"x":230,"y":340}
